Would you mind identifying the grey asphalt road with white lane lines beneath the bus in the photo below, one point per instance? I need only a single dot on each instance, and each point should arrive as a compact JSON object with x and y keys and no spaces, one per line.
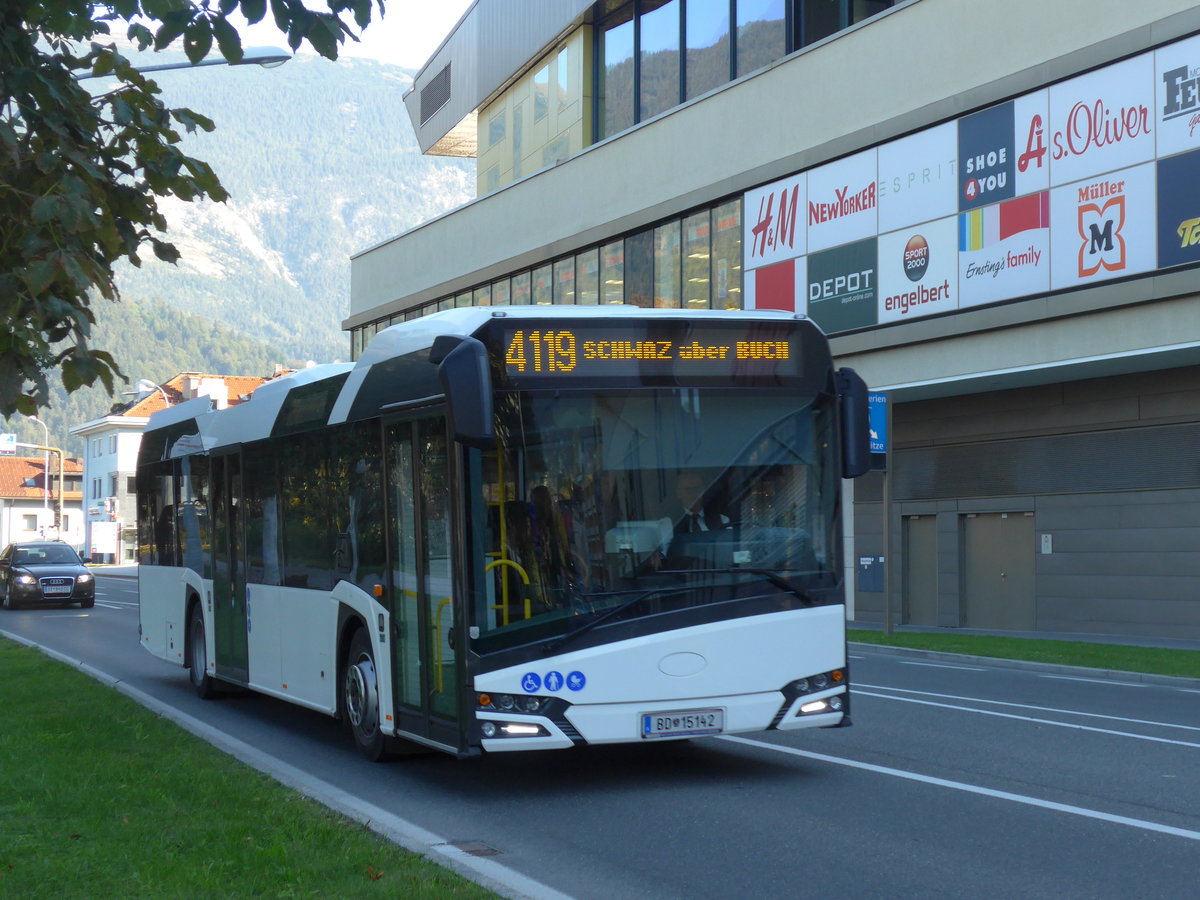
{"x":957,"y":781}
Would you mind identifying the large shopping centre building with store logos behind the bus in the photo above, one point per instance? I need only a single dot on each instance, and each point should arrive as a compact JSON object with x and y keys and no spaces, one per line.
{"x":993,"y":209}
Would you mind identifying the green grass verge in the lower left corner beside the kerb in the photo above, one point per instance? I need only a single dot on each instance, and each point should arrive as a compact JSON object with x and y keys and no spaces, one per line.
{"x":101,"y":799}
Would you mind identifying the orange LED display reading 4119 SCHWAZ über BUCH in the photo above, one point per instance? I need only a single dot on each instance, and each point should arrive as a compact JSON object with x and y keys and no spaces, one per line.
{"x":613,"y":352}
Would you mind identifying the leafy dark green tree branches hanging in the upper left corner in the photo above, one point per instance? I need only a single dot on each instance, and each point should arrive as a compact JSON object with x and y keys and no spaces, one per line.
{"x":82,"y":173}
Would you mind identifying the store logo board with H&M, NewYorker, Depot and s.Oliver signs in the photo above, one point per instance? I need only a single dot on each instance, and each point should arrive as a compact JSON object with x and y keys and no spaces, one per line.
{"x":1090,"y":179}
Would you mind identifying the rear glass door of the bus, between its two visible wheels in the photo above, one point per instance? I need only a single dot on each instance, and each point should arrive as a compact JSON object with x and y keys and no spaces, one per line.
{"x":229,"y":571}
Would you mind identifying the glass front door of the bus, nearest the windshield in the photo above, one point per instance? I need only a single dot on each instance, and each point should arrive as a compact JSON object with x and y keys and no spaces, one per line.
{"x":427,"y":671}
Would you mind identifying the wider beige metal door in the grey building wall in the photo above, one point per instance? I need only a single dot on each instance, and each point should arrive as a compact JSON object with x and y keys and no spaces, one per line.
{"x":998,"y":572}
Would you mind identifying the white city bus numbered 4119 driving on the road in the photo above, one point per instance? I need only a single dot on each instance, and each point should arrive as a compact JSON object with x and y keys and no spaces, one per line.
{"x":471,"y":539}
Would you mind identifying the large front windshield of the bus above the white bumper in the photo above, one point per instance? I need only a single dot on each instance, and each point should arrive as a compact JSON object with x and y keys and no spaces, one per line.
{"x":686,"y":497}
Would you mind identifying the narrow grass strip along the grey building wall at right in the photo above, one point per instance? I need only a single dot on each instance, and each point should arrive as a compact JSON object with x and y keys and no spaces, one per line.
{"x":1150,"y":661}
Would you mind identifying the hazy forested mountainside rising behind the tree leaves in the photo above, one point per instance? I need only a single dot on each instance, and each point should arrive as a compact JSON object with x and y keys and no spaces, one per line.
{"x":321,"y":163}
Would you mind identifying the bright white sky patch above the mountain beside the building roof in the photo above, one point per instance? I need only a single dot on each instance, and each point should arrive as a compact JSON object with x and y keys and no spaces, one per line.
{"x":407,"y":35}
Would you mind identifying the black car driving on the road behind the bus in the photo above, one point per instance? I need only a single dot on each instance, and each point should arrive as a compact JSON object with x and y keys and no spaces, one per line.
{"x":45,"y":573}
